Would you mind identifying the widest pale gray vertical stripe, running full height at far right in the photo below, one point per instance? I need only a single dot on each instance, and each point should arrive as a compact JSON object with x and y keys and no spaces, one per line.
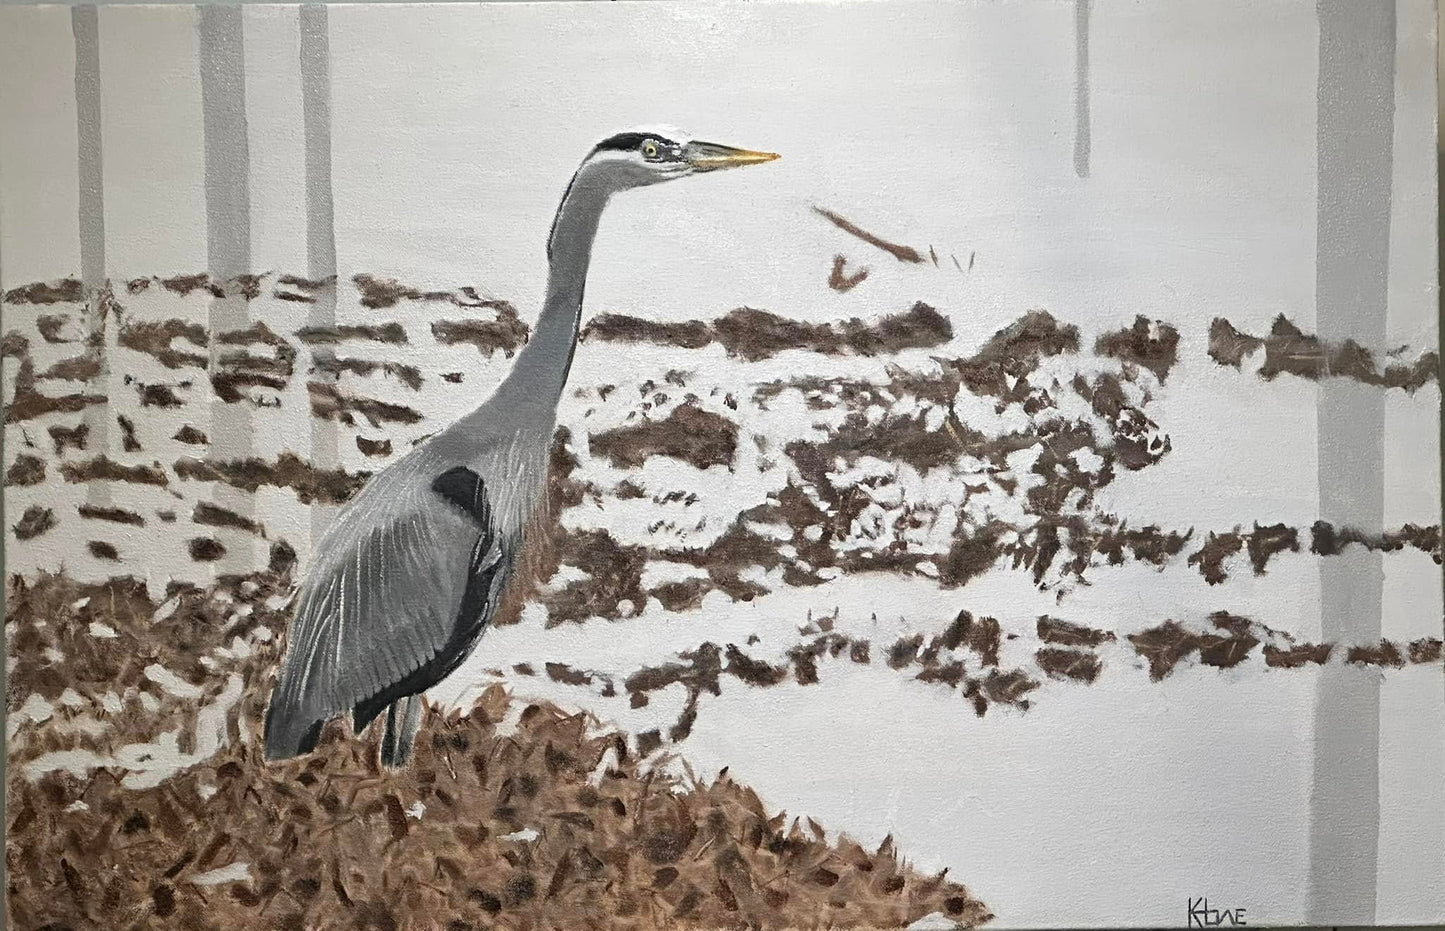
{"x":1356,"y":128}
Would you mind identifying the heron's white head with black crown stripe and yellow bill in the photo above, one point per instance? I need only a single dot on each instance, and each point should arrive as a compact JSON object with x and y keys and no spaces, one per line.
{"x":645,"y":157}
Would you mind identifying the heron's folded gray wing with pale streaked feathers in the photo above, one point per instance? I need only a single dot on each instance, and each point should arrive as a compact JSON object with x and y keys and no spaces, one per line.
{"x":388,"y":593}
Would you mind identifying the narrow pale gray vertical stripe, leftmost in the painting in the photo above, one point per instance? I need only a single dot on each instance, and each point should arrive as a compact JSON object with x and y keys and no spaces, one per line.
{"x":86,"y":27}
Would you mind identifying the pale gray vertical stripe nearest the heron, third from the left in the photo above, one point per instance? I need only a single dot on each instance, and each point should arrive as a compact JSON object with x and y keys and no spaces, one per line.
{"x":322,"y":241}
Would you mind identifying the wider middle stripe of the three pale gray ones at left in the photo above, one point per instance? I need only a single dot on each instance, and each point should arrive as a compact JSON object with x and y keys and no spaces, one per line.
{"x":228,"y":236}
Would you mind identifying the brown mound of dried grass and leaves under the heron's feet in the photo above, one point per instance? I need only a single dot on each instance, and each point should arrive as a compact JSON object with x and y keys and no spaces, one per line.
{"x":547,"y":823}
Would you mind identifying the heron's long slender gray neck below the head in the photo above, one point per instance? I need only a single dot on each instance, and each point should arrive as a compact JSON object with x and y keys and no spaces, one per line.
{"x":543,"y":366}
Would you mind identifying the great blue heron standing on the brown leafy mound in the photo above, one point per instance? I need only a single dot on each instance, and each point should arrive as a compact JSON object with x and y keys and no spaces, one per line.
{"x":415,"y":566}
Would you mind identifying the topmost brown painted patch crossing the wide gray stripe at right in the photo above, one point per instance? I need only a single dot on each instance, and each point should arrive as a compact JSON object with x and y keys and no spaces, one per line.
{"x":1288,"y":351}
